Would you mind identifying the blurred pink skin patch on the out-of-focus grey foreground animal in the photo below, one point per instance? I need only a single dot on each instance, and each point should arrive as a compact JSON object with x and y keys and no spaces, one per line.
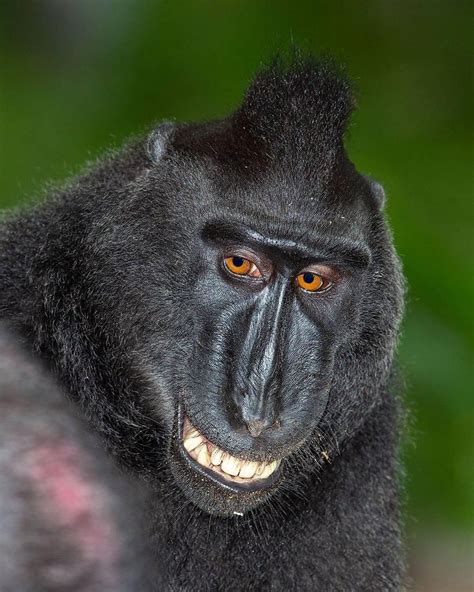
{"x":71,"y":501}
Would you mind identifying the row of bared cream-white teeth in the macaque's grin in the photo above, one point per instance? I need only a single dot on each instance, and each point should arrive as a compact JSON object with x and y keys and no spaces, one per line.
{"x":210,"y":456}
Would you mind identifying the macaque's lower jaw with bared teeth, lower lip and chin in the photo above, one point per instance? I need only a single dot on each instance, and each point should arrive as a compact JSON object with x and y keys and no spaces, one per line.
{"x":213,"y":479}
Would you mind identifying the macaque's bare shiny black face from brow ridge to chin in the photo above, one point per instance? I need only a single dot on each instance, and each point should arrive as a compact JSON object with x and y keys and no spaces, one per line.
{"x":269,"y":313}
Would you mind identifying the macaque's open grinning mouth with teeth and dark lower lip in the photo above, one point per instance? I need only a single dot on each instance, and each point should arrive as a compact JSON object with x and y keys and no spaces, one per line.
{"x":222,"y":467}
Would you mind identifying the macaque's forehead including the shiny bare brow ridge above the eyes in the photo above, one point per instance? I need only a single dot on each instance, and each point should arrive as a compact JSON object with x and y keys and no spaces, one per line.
{"x":287,"y":217}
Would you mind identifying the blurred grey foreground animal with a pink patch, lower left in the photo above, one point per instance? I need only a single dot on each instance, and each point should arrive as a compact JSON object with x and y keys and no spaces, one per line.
{"x":69,"y":520}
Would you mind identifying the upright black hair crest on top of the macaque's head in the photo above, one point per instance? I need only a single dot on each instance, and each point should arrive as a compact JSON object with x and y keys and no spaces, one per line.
{"x":298,"y":105}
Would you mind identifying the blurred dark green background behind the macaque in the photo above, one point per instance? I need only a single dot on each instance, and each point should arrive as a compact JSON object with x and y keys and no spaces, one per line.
{"x":79,"y":76}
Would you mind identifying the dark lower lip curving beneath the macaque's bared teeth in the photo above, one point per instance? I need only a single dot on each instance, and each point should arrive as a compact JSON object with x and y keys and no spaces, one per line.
{"x":216,"y":478}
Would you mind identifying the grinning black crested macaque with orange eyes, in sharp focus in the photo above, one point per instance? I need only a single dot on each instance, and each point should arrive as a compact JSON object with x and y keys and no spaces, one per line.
{"x":222,"y":300}
